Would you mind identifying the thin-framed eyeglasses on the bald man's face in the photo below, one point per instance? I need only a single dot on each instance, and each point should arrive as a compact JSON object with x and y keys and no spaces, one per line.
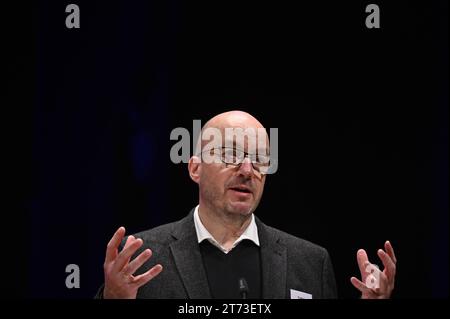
{"x":235,"y":157}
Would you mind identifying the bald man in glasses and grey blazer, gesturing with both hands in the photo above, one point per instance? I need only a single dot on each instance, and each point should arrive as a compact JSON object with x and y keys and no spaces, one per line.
{"x":221,"y":249}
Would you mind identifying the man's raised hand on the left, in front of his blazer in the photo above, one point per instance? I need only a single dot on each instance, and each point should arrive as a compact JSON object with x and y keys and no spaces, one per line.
{"x":119,"y":270}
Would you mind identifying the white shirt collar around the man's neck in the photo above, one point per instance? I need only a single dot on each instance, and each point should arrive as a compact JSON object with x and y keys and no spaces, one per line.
{"x":251,"y":233}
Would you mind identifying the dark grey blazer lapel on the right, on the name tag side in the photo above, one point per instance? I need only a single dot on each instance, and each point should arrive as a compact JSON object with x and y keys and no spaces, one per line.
{"x":273,"y":263}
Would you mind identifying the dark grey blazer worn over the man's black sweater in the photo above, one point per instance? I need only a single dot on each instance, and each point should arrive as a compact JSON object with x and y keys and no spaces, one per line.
{"x":288,"y":263}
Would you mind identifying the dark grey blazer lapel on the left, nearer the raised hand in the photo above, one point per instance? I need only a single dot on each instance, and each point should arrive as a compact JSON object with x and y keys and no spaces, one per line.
{"x":188,"y":259}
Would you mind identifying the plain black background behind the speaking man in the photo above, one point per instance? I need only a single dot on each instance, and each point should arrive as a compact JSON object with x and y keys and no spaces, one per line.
{"x":362,"y":117}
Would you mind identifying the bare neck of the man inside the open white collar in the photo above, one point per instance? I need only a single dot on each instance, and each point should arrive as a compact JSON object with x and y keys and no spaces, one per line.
{"x":225,"y":228}
